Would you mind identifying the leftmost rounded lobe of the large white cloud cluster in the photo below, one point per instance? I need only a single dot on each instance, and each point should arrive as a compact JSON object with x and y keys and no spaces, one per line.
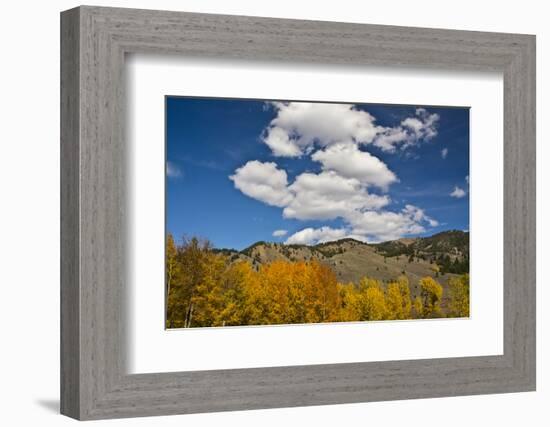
{"x":263,"y":182}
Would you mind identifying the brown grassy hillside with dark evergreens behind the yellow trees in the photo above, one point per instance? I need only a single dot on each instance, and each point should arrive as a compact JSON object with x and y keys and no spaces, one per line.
{"x":442,"y":256}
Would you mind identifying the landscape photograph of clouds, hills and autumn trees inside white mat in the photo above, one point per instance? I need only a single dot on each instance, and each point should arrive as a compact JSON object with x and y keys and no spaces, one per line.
{"x":282,"y":212}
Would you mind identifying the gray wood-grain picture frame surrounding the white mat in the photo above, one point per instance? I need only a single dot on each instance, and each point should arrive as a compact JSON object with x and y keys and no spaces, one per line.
{"x":94,"y":382}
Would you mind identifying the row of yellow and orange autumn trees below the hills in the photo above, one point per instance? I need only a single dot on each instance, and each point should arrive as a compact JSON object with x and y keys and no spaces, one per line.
{"x":204,"y":288}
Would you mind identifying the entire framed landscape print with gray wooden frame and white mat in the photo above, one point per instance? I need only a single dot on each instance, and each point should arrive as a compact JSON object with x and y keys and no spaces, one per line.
{"x":261,"y":213}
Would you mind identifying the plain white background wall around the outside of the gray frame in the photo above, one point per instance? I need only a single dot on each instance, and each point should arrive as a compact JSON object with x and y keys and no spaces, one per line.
{"x":29,"y":212}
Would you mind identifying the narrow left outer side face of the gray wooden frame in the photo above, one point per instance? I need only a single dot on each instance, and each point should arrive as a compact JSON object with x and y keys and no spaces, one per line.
{"x":70,"y":220}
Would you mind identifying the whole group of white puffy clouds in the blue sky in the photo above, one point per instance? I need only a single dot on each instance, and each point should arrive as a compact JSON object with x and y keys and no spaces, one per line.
{"x":351,"y":184}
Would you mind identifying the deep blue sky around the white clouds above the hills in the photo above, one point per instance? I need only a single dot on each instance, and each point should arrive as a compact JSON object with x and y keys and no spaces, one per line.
{"x":208,"y":139}
